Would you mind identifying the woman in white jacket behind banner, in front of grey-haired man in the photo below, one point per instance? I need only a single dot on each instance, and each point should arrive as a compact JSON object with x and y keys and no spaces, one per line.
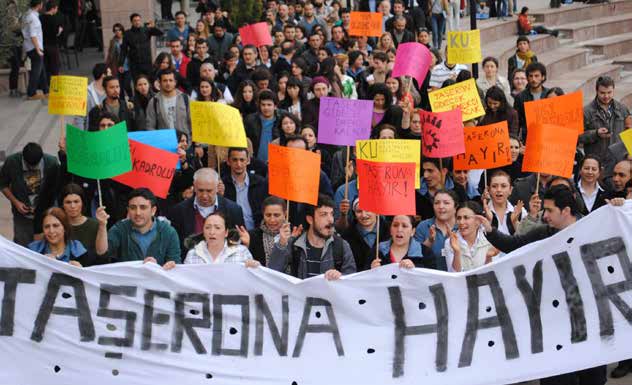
{"x":216,"y":247}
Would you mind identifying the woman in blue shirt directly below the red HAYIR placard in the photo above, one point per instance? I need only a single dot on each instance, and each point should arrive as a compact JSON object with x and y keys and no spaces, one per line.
{"x":402,"y":248}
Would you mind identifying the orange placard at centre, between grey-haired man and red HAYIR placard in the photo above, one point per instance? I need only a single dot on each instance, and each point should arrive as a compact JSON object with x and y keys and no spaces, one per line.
{"x":293,"y":174}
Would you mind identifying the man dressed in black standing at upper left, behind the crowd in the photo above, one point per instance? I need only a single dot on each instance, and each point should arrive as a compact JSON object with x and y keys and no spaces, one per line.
{"x":136,"y":47}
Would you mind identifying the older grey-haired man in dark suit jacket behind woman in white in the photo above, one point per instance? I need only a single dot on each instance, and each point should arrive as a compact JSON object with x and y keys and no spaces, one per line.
{"x":188,"y":216}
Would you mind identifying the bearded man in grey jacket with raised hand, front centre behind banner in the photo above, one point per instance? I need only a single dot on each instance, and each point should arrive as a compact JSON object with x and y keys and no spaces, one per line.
{"x":318,"y":251}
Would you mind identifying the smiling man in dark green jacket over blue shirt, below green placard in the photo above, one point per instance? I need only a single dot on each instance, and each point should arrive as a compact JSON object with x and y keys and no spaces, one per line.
{"x":141,"y":237}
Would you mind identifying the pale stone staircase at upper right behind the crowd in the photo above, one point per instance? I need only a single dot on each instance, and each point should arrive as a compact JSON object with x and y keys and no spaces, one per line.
{"x":595,"y":40}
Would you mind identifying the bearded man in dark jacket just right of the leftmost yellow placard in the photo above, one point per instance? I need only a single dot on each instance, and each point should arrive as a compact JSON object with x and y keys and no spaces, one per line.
{"x":112,"y":104}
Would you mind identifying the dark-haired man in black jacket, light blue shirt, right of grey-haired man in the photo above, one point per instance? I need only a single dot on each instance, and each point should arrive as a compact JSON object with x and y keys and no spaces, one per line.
{"x":246,"y":189}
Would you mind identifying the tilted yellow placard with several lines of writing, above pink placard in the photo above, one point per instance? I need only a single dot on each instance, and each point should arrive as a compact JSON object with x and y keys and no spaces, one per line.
{"x":463,"y":95}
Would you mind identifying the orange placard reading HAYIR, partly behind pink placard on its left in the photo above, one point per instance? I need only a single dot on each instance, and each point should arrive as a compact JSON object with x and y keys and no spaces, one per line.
{"x":485,"y":147}
